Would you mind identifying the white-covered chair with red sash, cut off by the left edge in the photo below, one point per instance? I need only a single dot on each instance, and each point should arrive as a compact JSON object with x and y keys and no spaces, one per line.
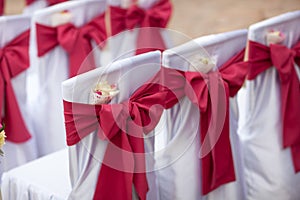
{"x":21,"y":144}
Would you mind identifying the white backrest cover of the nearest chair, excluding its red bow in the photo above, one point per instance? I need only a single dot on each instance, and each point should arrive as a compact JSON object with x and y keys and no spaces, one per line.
{"x":85,"y":157}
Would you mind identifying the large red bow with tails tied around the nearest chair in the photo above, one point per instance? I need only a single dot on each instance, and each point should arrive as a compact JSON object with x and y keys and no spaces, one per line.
{"x":123,"y":125}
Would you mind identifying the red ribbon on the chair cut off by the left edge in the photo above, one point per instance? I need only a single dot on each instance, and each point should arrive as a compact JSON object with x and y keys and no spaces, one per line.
{"x":14,"y":59}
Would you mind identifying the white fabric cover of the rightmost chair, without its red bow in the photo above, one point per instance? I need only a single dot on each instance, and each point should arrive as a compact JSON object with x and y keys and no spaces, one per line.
{"x":268,"y":169}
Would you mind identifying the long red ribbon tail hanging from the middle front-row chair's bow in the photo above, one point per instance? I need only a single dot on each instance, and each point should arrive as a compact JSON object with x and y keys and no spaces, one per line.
{"x":216,"y":154}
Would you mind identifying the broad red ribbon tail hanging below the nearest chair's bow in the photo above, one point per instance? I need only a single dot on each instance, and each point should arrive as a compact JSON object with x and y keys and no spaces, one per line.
{"x":119,"y":155}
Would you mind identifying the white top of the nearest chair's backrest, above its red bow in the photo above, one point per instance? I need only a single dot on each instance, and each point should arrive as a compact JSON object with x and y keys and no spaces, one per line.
{"x":128,"y":74}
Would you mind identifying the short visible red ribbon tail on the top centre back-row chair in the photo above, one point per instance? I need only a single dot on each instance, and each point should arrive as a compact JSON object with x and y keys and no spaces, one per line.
{"x":149,"y":39}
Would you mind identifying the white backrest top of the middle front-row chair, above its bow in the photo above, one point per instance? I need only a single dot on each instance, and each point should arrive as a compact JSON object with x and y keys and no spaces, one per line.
{"x":218,"y":47}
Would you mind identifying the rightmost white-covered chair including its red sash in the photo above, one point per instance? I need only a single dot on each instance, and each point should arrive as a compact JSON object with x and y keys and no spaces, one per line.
{"x":269,"y":169}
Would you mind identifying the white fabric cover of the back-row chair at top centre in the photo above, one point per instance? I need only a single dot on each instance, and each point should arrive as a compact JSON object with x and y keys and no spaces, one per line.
{"x":124,"y":44}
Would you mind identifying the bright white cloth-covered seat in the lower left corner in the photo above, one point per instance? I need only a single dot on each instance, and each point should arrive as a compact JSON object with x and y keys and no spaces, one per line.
{"x":42,"y":179}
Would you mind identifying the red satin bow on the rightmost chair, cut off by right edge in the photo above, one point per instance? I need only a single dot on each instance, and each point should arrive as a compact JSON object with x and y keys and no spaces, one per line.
{"x":282,"y":58}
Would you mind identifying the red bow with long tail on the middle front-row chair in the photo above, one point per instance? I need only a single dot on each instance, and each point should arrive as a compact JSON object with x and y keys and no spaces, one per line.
{"x":212,"y":97}
